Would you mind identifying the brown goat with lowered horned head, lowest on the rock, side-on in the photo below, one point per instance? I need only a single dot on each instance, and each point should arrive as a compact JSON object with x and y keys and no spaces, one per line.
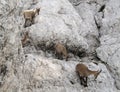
{"x":84,"y":72}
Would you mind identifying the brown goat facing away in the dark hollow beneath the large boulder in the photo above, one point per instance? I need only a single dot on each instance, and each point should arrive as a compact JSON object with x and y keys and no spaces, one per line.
{"x":61,"y":50}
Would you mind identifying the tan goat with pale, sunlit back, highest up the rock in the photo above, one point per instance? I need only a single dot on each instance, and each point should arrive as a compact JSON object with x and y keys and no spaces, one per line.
{"x":29,"y":15}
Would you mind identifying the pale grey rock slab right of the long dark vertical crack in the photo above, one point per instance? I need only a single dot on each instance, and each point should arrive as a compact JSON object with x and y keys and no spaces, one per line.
{"x":109,"y":51}
